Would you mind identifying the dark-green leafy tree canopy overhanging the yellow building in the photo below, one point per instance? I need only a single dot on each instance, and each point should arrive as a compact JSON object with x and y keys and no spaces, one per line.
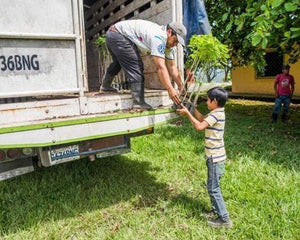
{"x":251,"y":27}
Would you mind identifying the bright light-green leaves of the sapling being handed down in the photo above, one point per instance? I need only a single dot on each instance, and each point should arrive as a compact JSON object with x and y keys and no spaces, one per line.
{"x":207,"y":52}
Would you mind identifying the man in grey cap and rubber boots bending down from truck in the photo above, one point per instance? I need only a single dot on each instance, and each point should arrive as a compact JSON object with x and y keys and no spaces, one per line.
{"x":125,"y":38}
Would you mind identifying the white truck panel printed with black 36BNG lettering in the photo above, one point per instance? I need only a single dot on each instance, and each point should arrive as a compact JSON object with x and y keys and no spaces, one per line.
{"x":36,"y":65}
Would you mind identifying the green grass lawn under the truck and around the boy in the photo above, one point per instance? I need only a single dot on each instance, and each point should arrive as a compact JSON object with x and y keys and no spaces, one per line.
{"x":158,"y":190}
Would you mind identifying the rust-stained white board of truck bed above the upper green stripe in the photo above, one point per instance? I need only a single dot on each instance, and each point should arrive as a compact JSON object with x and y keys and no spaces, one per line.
{"x":28,"y":113}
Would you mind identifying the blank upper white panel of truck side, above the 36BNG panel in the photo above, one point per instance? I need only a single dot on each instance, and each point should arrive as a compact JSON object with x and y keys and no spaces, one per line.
{"x":36,"y":16}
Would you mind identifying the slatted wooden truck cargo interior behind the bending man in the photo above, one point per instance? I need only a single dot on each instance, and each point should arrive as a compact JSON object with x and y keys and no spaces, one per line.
{"x":100,"y":15}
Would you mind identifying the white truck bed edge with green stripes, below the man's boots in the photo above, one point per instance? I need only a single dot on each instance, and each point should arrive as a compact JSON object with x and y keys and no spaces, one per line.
{"x":61,"y":121}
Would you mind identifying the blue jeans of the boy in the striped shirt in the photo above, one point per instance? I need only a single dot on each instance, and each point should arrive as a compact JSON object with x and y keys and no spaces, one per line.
{"x":214,"y":174}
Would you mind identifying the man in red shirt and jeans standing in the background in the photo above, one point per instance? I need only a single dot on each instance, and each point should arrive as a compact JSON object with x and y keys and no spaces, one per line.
{"x":284,"y":86}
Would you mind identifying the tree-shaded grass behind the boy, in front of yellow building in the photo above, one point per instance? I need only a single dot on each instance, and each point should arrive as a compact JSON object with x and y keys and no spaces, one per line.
{"x":249,"y":133}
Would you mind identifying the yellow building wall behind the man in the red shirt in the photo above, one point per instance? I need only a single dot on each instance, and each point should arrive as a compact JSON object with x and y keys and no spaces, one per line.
{"x":244,"y":81}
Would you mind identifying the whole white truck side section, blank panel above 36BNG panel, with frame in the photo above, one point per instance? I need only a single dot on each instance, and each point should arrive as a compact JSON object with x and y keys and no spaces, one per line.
{"x":41,"y":48}
